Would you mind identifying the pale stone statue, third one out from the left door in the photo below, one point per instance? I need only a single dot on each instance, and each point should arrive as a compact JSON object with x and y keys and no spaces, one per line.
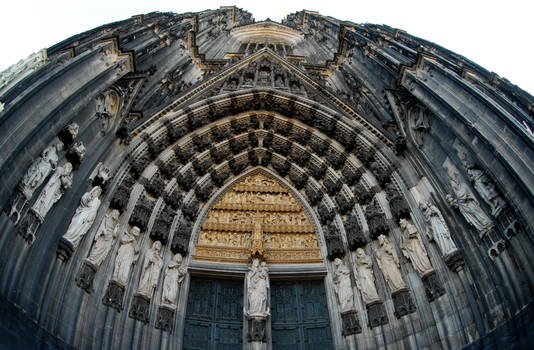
{"x":126,"y":256}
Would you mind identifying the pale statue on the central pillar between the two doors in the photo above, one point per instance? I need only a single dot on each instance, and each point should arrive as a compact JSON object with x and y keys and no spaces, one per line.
{"x":258,"y":286}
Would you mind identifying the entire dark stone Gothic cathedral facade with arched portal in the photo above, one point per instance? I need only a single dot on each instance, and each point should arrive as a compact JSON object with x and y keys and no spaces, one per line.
{"x":205,"y":181}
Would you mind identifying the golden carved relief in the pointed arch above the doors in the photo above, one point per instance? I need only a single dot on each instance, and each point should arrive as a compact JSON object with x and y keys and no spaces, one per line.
{"x":257,"y":218}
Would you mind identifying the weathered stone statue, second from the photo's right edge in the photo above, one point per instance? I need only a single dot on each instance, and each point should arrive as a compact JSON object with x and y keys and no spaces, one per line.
{"x":464,"y":201}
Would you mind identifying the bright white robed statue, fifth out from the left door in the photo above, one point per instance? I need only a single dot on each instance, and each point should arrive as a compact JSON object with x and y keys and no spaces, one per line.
{"x":83,"y":217}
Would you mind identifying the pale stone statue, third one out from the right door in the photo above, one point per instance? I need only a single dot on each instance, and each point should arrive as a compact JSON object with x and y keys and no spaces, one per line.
{"x":389,"y":264}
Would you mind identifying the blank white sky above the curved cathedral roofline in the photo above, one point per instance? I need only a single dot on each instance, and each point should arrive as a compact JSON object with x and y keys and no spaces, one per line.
{"x":498,"y":35}
